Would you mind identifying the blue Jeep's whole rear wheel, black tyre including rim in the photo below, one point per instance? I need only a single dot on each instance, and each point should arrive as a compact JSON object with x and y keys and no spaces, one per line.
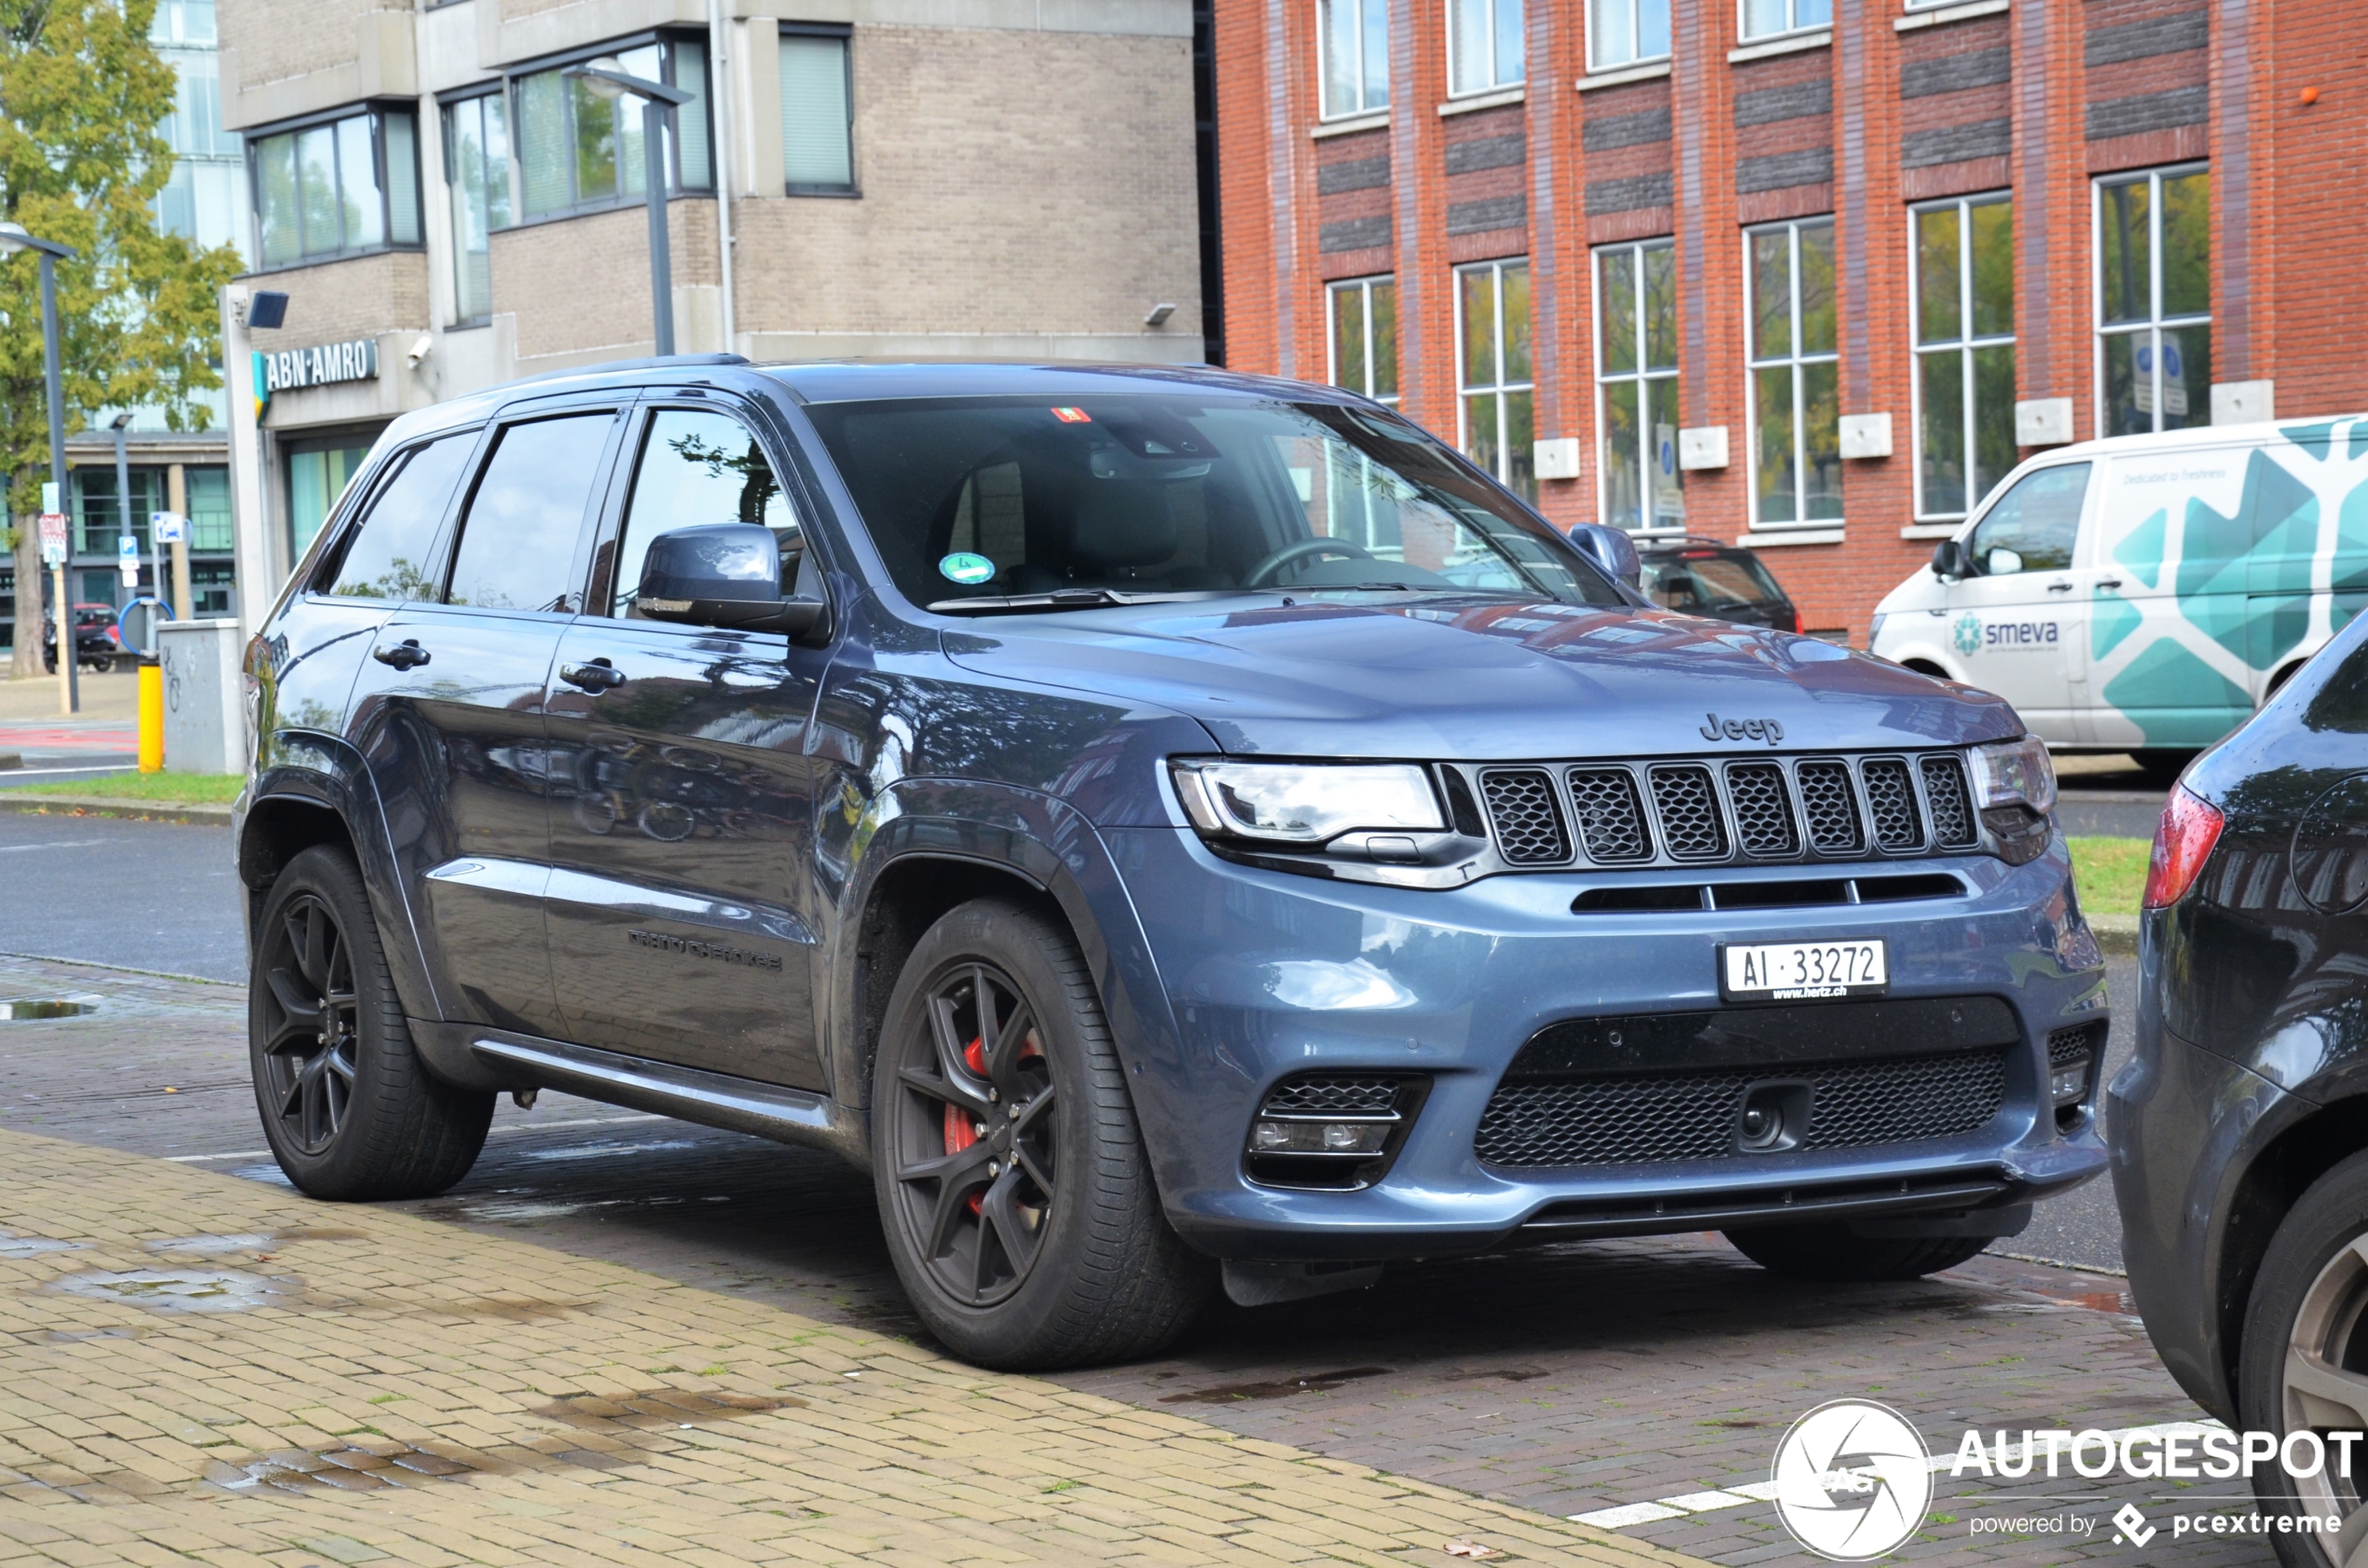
{"x":347,"y":1105}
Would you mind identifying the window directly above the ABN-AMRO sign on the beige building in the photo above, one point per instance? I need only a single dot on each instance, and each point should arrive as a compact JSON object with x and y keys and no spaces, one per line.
{"x":337,"y":188}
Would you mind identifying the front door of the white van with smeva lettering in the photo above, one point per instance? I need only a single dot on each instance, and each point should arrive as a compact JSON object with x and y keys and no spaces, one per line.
{"x":2016,"y":617}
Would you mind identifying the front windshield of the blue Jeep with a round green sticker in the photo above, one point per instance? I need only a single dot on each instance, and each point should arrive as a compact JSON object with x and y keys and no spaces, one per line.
{"x":1178,"y":494}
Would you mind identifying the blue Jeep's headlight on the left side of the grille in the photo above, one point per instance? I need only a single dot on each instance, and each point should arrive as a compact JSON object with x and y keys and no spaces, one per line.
{"x":1308,"y":802}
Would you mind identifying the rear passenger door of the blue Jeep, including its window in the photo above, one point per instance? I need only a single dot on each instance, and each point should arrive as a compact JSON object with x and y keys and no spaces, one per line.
{"x":449,"y":714}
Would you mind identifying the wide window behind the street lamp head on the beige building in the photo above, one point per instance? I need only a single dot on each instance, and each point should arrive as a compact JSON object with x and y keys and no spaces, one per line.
{"x":579,"y":150}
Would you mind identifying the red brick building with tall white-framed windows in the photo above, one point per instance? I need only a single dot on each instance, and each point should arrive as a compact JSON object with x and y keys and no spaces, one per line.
{"x":1796,"y":274}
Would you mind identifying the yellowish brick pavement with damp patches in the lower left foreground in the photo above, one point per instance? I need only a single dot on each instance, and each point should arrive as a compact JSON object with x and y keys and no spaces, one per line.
{"x":205,"y":1370}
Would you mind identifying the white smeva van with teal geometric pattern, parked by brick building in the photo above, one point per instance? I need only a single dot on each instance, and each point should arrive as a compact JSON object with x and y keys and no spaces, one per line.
{"x":2147,"y":593}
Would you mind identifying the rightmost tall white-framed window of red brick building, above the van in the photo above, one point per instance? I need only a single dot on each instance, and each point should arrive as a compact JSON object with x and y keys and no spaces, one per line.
{"x":2154,"y":293}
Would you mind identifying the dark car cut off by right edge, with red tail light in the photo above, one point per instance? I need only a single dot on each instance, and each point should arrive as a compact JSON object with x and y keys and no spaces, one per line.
{"x":2241,"y":1126}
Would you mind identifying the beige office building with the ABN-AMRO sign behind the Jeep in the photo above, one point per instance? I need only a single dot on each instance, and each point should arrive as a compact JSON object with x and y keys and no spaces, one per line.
{"x":446,"y":210}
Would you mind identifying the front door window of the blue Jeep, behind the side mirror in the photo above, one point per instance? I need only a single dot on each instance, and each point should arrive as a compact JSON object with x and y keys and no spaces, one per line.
{"x":700,"y":468}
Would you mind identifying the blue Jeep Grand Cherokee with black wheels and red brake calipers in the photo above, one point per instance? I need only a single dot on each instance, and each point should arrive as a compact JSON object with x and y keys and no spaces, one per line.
{"x":1171,"y":828}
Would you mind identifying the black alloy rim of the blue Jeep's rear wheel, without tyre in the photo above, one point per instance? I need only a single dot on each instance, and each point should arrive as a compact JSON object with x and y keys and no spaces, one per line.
{"x":311,"y":1027}
